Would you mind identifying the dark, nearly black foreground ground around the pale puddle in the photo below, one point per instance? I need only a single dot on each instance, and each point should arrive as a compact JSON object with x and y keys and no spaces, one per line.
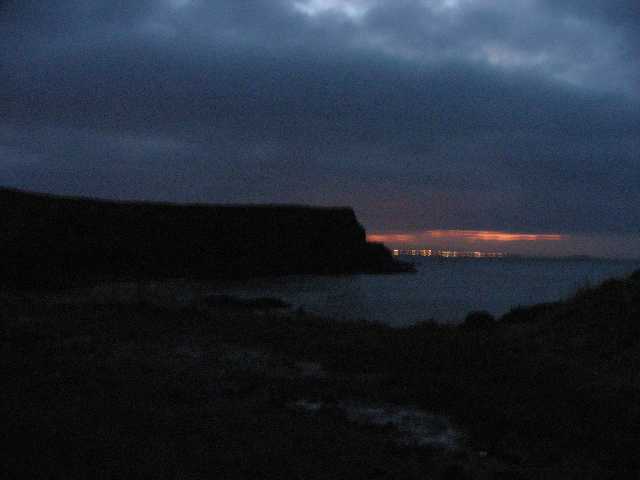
{"x":115,"y":389}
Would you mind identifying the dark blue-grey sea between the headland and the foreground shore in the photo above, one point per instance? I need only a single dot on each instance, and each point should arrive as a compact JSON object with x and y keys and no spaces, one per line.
{"x":444,"y":290}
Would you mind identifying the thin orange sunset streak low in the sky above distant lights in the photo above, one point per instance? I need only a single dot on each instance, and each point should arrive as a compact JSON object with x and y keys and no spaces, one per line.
{"x":471,"y":235}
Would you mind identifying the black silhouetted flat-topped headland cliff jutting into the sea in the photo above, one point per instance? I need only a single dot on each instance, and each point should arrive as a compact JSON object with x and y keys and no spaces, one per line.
{"x":44,"y":236}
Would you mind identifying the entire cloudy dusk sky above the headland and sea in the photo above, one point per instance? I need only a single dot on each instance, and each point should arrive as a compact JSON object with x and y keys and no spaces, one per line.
{"x":501,"y":116}
